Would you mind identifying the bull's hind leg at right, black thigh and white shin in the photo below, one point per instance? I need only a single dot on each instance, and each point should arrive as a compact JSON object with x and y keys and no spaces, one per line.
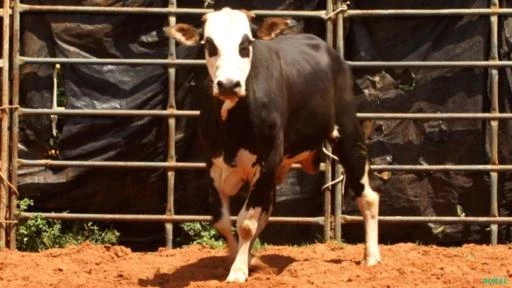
{"x":353,"y":157}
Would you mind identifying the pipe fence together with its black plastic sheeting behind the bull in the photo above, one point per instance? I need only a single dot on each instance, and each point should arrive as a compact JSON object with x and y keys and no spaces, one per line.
{"x":433,"y":86}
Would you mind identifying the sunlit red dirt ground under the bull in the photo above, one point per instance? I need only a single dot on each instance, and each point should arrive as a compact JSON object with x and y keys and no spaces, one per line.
{"x":318,"y":265}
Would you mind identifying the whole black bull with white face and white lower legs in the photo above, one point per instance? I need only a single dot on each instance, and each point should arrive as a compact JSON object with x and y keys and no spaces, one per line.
{"x":274,"y":103}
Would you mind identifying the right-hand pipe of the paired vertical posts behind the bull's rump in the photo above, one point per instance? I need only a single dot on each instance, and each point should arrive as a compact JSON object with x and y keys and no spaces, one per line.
{"x":338,"y":170}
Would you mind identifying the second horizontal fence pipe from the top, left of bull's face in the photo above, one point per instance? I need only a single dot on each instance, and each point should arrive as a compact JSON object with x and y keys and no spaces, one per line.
{"x":111,"y":61}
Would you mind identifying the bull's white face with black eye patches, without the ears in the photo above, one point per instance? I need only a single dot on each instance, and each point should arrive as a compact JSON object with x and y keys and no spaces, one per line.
{"x":228,"y":52}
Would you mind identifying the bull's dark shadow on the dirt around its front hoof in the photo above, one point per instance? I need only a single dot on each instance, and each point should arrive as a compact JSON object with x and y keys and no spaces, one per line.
{"x":214,"y":268}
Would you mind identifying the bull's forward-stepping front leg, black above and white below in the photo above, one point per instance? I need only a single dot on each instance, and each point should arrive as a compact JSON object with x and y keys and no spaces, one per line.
{"x":252,"y":219}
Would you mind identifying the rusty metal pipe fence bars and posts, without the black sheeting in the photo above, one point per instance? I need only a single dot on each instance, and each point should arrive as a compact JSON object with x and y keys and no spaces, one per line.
{"x":335,"y":13}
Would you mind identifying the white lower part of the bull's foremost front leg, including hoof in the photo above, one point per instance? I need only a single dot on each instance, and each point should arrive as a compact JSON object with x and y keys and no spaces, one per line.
{"x":247,"y":226}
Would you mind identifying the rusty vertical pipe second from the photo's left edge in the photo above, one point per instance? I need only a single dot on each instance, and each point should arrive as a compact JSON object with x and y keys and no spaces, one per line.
{"x":15,"y":119}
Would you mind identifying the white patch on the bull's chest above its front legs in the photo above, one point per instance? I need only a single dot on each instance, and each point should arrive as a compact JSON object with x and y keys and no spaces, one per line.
{"x":228,"y":179}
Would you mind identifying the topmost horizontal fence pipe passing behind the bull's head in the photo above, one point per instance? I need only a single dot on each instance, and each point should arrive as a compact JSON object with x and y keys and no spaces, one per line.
{"x":157,"y":10}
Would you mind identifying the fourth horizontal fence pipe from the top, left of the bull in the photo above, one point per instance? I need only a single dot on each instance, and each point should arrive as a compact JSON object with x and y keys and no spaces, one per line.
{"x":110,"y":164}
